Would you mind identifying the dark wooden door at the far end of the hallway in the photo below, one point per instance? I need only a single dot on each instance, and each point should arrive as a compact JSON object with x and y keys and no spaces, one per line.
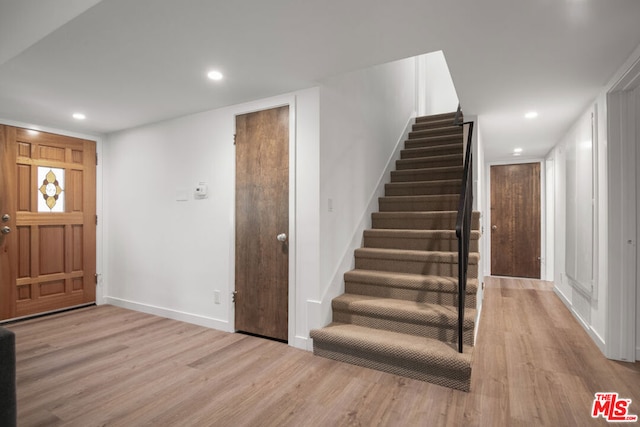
{"x":515,"y":220}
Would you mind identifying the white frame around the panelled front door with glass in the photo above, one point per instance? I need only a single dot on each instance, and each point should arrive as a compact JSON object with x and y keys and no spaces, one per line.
{"x":100,"y":229}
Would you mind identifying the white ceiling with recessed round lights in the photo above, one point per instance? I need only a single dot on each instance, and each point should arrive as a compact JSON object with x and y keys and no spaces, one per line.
{"x":126,"y":63}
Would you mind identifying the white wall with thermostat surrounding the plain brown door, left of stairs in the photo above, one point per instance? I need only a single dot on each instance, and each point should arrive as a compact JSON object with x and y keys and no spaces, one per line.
{"x":168,"y":257}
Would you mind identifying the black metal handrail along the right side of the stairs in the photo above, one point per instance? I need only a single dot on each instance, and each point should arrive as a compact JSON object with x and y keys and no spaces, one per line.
{"x":463,"y":224}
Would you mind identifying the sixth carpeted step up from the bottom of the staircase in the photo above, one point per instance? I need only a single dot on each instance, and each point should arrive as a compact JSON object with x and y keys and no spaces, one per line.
{"x":441,"y":220}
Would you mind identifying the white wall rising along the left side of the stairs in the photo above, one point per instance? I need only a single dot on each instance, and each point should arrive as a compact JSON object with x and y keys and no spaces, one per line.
{"x":363,"y":117}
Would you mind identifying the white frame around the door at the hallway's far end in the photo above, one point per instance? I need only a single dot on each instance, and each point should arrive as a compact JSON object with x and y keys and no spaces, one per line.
{"x":487,"y":222}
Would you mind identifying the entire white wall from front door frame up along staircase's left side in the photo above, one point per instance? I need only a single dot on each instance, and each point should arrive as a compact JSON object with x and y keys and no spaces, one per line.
{"x":168,"y":257}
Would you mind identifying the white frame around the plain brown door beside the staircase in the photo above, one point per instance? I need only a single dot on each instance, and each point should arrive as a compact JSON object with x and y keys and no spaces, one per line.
{"x":289,"y":101}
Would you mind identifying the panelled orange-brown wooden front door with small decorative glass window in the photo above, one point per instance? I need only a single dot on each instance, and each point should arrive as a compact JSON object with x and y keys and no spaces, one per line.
{"x":48,"y":222}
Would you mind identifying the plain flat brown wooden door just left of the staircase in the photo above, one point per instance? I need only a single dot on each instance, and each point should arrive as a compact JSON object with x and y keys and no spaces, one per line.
{"x":262,"y":223}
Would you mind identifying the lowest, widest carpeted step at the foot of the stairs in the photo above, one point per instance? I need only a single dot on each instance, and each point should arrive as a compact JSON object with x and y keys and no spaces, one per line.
{"x":414,"y":357}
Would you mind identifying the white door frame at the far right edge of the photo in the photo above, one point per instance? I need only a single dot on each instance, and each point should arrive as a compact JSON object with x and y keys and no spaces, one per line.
{"x":623,"y":180}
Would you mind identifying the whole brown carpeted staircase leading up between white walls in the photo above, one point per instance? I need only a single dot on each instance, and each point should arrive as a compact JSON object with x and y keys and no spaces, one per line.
{"x":399,"y":310}
